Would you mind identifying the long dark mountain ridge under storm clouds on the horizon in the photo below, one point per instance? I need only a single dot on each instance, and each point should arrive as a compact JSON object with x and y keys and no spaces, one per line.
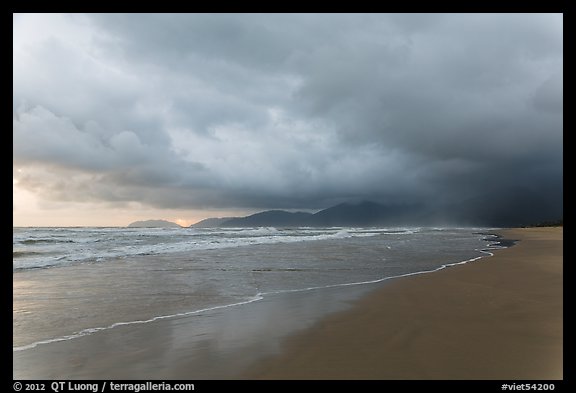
{"x":507,"y":209}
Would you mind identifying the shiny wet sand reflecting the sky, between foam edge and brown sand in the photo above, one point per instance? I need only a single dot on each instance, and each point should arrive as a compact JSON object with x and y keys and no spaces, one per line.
{"x":219,"y":345}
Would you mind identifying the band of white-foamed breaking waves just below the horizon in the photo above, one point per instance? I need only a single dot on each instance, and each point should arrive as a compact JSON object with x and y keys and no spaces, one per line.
{"x":101,"y":244}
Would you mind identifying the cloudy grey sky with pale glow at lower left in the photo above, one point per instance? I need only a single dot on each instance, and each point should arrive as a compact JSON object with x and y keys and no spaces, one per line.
{"x":123,"y":117}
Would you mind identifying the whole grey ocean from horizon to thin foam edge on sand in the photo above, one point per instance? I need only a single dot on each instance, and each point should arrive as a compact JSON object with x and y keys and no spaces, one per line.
{"x":70,"y":283}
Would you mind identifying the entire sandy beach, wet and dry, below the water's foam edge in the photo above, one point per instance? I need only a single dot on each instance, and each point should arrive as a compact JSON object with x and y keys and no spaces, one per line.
{"x":496,"y":318}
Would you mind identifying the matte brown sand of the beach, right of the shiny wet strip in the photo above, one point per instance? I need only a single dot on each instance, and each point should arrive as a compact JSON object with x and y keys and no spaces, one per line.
{"x":498,"y":318}
